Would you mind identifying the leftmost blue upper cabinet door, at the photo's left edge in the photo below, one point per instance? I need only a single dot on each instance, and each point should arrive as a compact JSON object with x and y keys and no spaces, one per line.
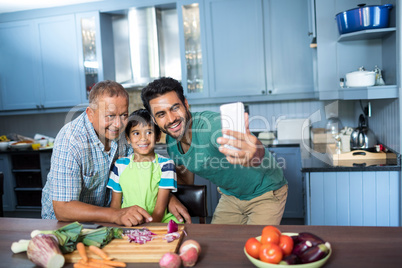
{"x":19,"y":65}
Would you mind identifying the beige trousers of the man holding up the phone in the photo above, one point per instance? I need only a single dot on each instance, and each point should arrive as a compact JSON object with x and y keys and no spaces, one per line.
{"x":266,"y":209}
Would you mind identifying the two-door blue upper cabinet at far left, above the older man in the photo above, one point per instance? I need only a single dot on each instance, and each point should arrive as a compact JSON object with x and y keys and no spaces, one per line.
{"x":40,"y":67}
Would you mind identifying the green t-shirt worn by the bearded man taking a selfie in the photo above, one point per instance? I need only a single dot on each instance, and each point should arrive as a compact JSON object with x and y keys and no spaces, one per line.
{"x":204,"y":159}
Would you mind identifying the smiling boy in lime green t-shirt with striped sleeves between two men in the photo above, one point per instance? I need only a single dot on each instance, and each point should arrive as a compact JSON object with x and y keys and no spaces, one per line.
{"x":144,"y":178}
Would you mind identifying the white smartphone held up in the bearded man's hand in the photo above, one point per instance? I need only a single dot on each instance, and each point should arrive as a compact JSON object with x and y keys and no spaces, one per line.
{"x":232,"y":117}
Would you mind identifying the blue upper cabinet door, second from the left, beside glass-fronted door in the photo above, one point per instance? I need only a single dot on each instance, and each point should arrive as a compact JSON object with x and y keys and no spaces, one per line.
{"x":60,"y":62}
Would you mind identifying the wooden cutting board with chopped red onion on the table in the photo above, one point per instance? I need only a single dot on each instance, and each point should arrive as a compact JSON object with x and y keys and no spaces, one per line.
{"x":123,"y":250}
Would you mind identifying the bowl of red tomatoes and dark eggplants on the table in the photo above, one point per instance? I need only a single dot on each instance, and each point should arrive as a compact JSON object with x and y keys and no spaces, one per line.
{"x":274,"y":249}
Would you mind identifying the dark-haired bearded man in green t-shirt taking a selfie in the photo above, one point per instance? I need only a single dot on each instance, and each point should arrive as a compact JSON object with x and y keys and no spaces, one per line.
{"x":253,"y":189}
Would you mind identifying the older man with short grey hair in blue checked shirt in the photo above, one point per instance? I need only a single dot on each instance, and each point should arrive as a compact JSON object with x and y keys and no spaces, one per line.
{"x":82,"y":156}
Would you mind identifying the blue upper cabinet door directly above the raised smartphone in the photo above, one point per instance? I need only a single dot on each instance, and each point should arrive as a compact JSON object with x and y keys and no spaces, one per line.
{"x":235,"y":45}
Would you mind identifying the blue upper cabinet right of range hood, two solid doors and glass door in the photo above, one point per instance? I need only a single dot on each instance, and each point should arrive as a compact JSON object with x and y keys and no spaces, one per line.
{"x":254,"y":50}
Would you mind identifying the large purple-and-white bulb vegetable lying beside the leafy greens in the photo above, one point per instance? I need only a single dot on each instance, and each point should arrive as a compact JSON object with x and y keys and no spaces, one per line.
{"x":43,"y":250}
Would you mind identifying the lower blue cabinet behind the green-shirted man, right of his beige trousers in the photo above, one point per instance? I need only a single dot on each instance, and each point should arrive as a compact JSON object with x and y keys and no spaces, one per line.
{"x":289,"y":159}
